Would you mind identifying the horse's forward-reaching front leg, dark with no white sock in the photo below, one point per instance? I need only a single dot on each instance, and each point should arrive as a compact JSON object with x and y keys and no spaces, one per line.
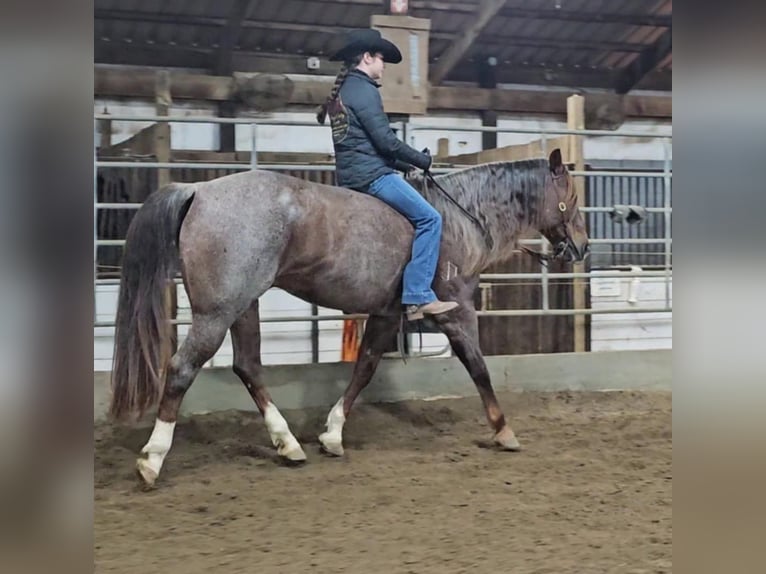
{"x":461,"y":326}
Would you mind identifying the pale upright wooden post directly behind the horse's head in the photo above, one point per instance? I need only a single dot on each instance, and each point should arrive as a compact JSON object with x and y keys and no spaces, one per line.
{"x":576,"y":121}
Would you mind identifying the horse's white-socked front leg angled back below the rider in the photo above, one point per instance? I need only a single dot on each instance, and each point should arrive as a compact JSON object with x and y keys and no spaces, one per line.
{"x":377,"y":334}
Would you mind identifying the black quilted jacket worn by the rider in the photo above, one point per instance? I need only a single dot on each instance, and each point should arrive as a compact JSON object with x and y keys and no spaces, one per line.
{"x":365,"y":145}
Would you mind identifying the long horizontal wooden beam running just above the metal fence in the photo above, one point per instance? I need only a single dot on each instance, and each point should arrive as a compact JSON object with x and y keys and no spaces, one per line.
{"x":140,"y":84}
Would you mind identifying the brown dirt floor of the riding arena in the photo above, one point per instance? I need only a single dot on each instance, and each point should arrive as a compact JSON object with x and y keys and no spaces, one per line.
{"x":418,"y":491}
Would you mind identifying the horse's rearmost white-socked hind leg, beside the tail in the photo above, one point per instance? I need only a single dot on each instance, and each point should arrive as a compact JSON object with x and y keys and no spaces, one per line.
{"x":204,"y":339}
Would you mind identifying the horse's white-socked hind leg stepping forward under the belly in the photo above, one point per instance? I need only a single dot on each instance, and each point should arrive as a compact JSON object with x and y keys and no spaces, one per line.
{"x":246,"y":340}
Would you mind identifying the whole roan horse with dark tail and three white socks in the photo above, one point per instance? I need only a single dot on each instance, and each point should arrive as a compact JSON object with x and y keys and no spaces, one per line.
{"x":234,"y":237}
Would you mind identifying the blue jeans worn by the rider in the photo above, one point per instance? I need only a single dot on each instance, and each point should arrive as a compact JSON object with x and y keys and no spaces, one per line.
{"x":420,"y":270}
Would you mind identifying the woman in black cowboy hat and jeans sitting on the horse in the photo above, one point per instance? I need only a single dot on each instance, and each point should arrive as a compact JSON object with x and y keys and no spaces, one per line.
{"x":367,"y":155}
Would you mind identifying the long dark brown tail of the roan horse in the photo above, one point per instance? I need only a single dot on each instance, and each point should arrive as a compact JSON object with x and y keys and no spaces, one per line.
{"x":142,"y":340}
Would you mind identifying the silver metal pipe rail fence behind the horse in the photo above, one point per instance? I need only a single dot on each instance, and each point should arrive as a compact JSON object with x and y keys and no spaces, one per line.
{"x":544,"y":276}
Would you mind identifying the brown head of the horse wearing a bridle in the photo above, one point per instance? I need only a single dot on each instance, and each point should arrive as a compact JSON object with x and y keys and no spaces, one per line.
{"x":561,"y":221}
